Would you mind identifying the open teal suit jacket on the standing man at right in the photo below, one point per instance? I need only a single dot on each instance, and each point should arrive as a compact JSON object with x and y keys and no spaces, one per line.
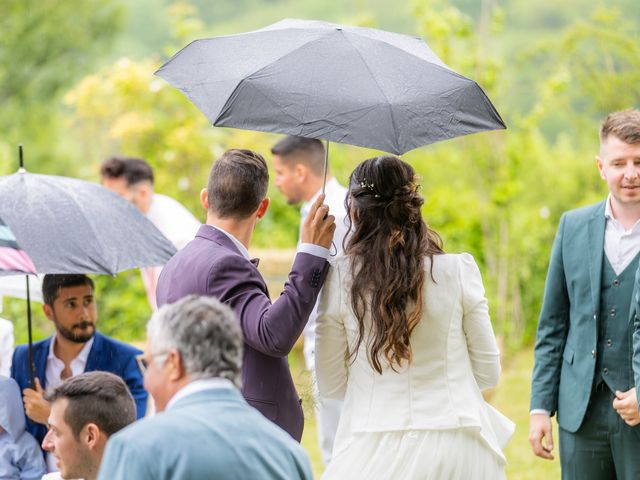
{"x":567,"y":336}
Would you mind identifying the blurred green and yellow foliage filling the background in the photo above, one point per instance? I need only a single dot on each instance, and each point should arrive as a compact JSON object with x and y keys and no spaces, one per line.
{"x":552,"y":69}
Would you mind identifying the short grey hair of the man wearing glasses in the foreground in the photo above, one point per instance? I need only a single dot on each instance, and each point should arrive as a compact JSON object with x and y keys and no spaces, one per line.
{"x":205,"y":332}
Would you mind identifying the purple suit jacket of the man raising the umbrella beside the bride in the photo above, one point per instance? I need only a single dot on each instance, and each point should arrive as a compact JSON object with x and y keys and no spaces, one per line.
{"x":212,"y":265}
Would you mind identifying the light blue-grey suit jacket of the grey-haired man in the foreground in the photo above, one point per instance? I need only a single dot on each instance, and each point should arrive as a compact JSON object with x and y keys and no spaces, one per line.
{"x":212,"y":434}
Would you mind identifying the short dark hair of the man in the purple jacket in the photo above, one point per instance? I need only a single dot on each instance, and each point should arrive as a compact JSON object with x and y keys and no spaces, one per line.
{"x":238,"y":182}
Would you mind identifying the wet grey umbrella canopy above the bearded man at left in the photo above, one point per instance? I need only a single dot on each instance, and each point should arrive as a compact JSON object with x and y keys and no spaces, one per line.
{"x":71,"y":226}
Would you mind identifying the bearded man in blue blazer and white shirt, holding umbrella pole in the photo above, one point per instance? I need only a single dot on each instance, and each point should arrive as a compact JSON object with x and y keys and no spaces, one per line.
{"x":76,"y":347}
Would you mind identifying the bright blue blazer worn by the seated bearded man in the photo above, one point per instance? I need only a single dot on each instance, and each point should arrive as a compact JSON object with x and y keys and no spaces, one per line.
{"x":106,"y":355}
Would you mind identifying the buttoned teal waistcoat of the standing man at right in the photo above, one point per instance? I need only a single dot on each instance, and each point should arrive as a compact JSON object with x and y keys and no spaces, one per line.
{"x":613,"y":365}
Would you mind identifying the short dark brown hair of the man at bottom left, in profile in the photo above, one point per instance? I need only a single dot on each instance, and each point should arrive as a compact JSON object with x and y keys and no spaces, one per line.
{"x":96,"y":397}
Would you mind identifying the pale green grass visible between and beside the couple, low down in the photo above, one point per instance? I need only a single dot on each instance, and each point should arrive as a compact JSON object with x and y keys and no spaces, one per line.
{"x":511,"y":396}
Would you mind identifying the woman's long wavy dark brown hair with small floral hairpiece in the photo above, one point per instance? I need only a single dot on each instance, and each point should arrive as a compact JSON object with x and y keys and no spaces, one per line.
{"x":388,"y":246}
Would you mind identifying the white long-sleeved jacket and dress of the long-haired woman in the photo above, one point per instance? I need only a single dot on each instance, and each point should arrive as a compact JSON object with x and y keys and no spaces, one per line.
{"x":427,"y":420}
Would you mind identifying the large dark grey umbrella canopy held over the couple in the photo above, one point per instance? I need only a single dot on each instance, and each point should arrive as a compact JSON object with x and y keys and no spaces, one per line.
{"x":345,"y":84}
